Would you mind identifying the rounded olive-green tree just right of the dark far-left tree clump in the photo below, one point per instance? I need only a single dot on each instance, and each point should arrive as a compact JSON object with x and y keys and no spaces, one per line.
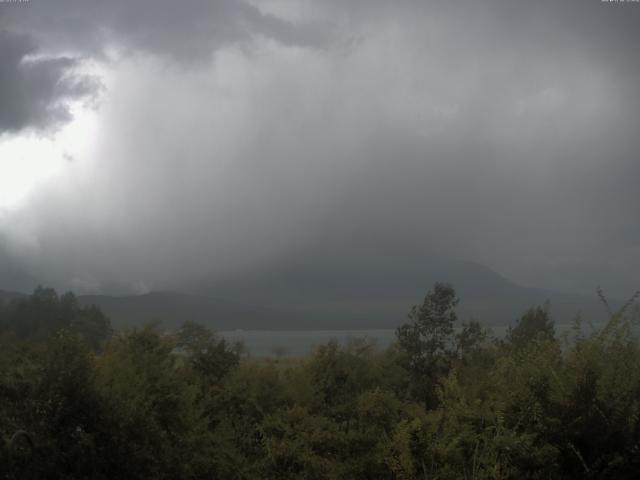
{"x":150,"y":404}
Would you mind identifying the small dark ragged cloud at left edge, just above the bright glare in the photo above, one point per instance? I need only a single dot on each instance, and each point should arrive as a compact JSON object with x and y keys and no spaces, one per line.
{"x":34,"y":91}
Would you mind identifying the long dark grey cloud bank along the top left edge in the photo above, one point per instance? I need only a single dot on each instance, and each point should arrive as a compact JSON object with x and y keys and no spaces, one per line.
{"x":186,"y":30}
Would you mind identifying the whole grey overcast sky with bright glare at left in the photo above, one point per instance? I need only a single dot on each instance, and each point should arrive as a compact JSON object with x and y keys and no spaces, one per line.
{"x":149,"y":144}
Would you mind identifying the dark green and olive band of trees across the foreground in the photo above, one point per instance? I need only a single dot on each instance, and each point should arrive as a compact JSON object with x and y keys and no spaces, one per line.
{"x":78,"y":401}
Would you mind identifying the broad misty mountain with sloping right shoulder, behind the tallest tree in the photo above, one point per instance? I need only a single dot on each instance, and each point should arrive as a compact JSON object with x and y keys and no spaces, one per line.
{"x":380,"y":296}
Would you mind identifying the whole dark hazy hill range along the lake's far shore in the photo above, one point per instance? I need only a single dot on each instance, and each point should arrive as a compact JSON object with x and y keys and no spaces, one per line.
{"x":299,"y":299}
